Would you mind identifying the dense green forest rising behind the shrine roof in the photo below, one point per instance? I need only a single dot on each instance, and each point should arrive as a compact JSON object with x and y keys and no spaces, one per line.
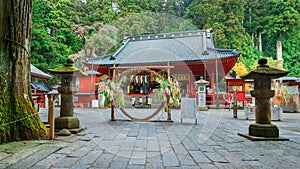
{"x":90,"y":28}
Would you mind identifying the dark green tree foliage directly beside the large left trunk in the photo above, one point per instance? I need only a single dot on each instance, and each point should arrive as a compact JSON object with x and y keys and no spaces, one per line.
{"x":52,"y":37}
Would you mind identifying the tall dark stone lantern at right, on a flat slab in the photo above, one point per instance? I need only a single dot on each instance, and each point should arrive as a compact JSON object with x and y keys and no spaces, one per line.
{"x":262,"y":92}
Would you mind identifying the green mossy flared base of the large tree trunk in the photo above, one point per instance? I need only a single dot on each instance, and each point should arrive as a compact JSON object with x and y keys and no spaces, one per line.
{"x":25,"y":124}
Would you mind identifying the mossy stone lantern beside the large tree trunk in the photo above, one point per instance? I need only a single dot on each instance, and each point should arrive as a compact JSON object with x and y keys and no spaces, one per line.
{"x":68,"y":75}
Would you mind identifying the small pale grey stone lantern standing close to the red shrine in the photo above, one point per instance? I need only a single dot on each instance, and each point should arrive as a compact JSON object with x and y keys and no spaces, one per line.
{"x":202,"y":94}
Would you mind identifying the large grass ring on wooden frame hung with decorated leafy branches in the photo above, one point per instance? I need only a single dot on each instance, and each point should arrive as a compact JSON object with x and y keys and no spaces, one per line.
{"x":145,"y":81}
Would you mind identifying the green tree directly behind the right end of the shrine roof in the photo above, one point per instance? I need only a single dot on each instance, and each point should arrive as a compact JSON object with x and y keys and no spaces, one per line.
{"x":225,"y":19}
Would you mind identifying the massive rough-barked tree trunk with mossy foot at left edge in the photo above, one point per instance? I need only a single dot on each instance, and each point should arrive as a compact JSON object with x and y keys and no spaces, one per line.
{"x":18,"y":118}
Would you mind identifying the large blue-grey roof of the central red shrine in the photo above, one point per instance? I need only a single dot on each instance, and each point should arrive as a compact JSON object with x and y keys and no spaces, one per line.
{"x":167,"y":47}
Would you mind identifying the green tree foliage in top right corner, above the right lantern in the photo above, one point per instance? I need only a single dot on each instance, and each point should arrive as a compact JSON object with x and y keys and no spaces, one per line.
{"x":276,"y":20}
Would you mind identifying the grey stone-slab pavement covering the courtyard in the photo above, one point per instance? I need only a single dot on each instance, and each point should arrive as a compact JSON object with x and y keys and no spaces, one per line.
{"x":211,"y":143}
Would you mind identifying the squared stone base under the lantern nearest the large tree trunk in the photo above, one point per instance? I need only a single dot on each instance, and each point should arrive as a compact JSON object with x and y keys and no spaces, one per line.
{"x":66,"y":123}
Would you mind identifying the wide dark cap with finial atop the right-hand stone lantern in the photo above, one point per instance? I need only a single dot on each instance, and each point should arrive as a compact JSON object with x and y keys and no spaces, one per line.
{"x":264,"y":70}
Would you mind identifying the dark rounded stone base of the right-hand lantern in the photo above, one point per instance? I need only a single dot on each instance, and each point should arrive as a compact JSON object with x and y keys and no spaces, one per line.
{"x":263,"y":130}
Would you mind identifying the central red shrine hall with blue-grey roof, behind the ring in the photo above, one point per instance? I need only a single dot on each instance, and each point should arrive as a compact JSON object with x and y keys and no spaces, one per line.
{"x":185,"y":56}
